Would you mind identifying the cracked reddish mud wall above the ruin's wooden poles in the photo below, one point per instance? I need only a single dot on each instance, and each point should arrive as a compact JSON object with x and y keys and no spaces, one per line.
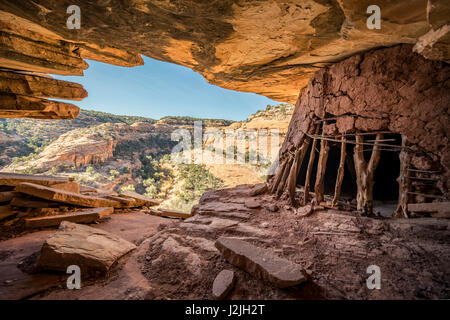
{"x":388,"y":89}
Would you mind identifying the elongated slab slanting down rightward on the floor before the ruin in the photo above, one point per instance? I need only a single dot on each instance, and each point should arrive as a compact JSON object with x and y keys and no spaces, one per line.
{"x":261,"y":263}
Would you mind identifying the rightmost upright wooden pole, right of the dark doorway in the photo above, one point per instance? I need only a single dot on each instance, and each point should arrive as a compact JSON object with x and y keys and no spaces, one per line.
{"x":404,"y":184}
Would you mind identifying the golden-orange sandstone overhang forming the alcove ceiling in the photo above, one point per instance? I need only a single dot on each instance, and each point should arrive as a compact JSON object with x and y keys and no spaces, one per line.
{"x":267,"y":47}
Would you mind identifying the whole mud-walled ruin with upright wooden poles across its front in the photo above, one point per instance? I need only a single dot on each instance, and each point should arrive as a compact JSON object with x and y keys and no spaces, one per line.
{"x":377,"y":116}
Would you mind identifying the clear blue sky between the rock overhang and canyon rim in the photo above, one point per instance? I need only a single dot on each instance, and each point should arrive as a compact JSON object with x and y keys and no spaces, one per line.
{"x":159,"y":89}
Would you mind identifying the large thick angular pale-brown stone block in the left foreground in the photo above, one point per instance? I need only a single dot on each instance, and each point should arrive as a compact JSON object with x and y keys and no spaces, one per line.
{"x":93,"y":250}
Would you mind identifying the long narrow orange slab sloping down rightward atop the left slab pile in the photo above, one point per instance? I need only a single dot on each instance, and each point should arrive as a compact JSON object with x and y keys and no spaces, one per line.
{"x":65,"y":196}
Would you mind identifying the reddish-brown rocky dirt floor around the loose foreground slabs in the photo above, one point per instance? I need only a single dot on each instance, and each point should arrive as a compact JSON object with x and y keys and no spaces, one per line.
{"x":178,"y":260}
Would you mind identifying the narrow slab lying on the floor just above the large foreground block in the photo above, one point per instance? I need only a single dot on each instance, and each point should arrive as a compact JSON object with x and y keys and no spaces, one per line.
{"x":84,"y":216}
